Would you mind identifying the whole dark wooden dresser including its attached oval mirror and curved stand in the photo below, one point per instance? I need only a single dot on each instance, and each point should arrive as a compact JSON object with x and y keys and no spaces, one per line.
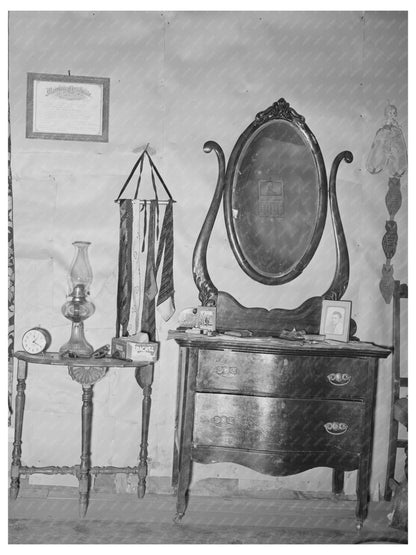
{"x":276,"y":406}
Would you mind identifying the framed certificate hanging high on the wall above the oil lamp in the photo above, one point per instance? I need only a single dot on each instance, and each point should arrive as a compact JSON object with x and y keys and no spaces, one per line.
{"x":66,"y":107}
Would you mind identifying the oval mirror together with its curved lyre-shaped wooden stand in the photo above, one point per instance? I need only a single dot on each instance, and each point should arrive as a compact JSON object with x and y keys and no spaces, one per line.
{"x":275,"y":197}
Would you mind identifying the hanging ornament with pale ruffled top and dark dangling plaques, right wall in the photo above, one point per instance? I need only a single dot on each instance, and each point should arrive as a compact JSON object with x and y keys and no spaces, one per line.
{"x":388,"y":153}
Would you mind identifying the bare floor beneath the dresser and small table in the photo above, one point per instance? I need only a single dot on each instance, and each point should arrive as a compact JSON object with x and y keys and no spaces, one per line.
{"x":49,"y":515}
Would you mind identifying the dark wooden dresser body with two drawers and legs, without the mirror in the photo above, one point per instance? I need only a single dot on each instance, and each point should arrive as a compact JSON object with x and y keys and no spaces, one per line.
{"x":279,"y":407}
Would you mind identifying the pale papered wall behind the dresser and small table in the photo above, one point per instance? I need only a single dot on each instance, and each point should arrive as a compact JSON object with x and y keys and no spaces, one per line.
{"x":177,"y":80}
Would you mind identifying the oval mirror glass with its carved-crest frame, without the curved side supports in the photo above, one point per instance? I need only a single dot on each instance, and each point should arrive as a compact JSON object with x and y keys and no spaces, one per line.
{"x":275,"y":196}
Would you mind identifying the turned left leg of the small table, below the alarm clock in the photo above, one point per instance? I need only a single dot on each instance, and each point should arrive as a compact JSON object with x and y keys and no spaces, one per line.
{"x":18,"y":427}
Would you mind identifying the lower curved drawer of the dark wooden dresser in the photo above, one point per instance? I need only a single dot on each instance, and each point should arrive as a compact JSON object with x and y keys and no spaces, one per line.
{"x":265,"y":423}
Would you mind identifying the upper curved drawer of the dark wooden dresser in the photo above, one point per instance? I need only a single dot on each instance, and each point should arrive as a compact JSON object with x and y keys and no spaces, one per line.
{"x":269,"y":374}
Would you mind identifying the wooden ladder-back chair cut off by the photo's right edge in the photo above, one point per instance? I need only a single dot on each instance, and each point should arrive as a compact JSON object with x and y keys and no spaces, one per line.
{"x":399,"y":404}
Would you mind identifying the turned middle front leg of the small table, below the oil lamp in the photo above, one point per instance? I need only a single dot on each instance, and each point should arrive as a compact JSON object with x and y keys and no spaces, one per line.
{"x":84,"y":469}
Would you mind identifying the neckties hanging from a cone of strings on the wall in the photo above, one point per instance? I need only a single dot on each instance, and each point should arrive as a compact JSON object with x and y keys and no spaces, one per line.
{"x":140,"y":238}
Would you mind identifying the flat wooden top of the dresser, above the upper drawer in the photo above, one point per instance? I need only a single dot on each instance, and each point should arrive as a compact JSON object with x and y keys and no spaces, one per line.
{"x":279,"y":346}
